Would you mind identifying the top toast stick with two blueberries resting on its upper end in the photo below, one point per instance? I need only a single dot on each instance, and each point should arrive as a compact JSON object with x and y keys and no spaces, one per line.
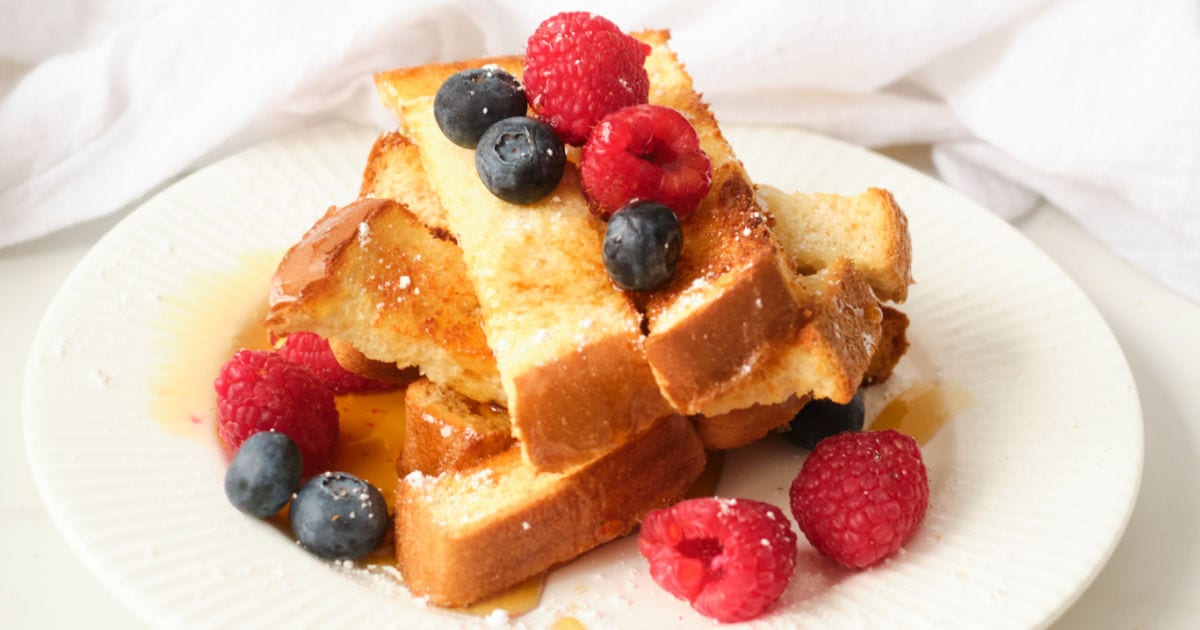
{"x":560,"y":329}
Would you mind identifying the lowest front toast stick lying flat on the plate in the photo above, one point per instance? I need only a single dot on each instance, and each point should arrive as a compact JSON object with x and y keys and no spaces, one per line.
{"x":467,"y":535}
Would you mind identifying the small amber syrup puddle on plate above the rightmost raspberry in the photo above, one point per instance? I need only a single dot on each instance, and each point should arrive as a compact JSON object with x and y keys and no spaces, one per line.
{"x":922,"y":410}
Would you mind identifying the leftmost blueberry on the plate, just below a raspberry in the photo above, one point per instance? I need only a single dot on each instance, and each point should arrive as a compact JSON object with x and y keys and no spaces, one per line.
{"x":265,"y":473}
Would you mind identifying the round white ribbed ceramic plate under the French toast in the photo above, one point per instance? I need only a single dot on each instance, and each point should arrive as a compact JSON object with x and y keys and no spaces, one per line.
{"x":1033,"y":485}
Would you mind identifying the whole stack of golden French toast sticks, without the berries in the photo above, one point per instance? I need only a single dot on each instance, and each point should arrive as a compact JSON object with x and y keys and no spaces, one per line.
{"x":553,"y":410}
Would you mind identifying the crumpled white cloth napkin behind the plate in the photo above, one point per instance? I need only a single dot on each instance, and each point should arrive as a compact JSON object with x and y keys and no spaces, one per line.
{"x":1094,"y":105}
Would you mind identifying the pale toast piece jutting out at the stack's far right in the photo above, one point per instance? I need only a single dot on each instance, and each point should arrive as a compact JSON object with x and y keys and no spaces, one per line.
{"x":868,"y":229}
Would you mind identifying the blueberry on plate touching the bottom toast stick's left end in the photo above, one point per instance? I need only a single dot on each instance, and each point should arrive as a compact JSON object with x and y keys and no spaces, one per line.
{"x":339,"y":517}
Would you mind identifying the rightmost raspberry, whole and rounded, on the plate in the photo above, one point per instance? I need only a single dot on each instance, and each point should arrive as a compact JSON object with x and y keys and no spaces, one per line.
{"x":861,"y":496}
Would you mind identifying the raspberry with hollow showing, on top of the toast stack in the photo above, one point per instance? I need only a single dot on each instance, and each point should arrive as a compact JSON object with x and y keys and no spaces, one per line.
{"x":645,"y":153}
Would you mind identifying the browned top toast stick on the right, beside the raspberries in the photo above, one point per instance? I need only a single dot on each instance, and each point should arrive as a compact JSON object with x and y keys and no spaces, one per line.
{"x":734,"y":303}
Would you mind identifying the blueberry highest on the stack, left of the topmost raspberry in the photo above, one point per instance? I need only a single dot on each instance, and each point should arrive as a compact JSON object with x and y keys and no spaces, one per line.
{"x":473,"y":100}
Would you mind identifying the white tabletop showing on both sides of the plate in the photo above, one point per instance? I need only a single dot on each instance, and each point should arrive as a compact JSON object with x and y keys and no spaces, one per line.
{"x":1151,"y":581}
